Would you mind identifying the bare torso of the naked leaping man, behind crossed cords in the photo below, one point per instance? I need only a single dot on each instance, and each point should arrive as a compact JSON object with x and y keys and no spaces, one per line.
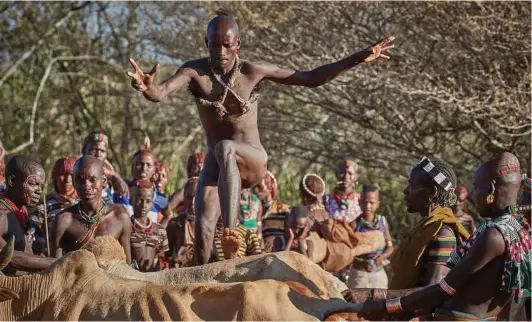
{"x":234,"y":126}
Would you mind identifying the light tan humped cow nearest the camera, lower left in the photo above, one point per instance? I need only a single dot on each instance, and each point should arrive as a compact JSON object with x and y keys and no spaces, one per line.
{"x":76,"y":288}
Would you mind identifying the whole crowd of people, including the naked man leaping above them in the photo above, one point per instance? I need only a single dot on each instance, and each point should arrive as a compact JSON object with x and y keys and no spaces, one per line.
{"x":445,"y":263}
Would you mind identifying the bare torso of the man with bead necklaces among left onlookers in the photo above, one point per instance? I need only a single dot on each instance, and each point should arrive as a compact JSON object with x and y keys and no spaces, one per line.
{"x":74,"y":237}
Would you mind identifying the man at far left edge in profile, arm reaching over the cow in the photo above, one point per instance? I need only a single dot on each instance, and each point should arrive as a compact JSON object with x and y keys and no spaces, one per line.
{"x":25,"y":180}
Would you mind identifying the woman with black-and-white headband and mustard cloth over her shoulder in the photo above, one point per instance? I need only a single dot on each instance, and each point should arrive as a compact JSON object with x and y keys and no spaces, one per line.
{"x":421,"y":256}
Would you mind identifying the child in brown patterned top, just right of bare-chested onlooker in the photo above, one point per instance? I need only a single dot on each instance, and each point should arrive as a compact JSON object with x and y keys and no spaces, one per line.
{"x":148,"y":239}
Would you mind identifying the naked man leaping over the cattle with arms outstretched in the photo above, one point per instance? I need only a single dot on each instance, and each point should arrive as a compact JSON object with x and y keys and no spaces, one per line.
{"x":226,"y":92}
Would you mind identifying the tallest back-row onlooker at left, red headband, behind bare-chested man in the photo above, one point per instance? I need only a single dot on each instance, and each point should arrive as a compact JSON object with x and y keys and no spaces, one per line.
{"x":97,"y":144}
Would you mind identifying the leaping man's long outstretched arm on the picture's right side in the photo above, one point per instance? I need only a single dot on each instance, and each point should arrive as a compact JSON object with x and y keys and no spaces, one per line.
{"x":326,"y":73}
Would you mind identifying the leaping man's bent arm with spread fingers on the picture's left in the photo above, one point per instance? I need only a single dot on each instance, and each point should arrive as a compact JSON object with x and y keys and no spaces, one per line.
{"x":145,"y":82}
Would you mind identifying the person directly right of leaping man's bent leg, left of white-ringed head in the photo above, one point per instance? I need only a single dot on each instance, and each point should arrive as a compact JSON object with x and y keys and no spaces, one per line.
{"x":274,"y":213}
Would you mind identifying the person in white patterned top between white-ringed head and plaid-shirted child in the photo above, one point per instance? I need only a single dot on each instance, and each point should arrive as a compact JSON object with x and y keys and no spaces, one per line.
{"x":343,"y":203}
